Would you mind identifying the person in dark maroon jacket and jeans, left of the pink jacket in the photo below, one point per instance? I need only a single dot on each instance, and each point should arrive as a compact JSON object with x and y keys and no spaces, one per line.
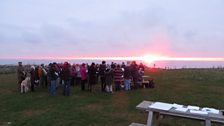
{"x":66,"y":77}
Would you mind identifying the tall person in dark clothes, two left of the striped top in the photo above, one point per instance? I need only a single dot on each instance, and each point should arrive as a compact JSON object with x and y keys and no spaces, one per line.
{"x":102,"y":69}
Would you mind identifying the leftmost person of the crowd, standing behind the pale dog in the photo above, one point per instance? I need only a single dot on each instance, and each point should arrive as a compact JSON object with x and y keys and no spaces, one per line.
{"x":20,"y":75}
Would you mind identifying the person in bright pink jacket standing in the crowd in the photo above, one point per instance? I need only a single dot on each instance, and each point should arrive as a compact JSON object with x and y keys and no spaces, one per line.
{"x":83,"y":76}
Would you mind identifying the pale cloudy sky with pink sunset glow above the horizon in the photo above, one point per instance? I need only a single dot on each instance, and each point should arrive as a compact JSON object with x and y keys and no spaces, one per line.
{"x":111,"y":28}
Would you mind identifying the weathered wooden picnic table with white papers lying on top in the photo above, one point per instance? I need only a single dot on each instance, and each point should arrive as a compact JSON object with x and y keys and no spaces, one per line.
{"x":208,"y":118}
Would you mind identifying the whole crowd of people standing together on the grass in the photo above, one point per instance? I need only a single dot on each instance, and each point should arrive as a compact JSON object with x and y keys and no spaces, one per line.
{"x":110,"y":76}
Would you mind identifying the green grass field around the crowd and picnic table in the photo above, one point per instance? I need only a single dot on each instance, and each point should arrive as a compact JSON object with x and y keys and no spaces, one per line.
{"x":201,"y":87}
